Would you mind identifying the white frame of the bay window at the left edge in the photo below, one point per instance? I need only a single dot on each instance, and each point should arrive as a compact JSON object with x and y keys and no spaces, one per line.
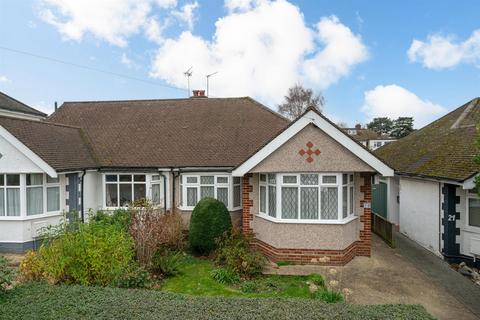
{"x":23,"y":197}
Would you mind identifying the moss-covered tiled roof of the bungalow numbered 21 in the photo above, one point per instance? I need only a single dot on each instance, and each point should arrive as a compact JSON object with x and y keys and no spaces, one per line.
{"x":443,"y":149}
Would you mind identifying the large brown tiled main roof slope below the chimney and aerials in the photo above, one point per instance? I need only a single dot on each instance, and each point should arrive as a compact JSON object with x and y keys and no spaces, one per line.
{"x":194,"y":132}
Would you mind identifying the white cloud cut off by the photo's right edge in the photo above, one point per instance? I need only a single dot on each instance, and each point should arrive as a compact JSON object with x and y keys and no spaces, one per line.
{"x":441,"y":52}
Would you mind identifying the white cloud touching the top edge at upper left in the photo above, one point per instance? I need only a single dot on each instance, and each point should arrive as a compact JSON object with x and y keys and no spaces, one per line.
{"x":112,"y":21}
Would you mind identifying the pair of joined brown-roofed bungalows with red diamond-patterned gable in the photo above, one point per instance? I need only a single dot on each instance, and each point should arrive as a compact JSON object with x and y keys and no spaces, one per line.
{"x":302,"y":188}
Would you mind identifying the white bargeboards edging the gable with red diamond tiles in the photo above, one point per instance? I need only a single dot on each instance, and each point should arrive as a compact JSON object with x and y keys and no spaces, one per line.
{"x":329,"y":129}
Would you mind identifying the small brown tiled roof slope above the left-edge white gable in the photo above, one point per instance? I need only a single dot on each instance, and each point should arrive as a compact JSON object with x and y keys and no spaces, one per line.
{"x":62,"y":147}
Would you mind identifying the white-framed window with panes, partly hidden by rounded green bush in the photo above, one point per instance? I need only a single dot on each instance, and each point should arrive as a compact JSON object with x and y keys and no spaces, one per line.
{"x":222,"y":187}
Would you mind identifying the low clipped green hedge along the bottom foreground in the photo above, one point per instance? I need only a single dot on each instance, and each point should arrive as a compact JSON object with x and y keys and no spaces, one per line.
{"x":42,"y":301}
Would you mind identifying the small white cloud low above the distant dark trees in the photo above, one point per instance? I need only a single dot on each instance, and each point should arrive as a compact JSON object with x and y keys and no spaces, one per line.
{"x":394,"y":101}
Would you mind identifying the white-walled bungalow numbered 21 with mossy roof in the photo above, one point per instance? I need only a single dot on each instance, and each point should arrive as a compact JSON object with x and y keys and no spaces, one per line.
{"x":433,"y":197}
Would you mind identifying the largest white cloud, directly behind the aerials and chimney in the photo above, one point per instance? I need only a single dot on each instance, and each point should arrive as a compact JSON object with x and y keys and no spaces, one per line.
{"x":261,"y":52}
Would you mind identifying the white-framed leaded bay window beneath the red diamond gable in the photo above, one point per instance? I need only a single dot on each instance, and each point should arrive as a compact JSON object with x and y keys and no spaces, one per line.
{"x":307,"y":197}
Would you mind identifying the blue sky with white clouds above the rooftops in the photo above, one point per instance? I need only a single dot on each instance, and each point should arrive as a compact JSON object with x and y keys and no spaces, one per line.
{"x":367,"y":58}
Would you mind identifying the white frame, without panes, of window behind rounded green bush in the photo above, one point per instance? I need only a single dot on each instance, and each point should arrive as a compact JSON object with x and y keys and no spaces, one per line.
{"x":216,"y":185}
